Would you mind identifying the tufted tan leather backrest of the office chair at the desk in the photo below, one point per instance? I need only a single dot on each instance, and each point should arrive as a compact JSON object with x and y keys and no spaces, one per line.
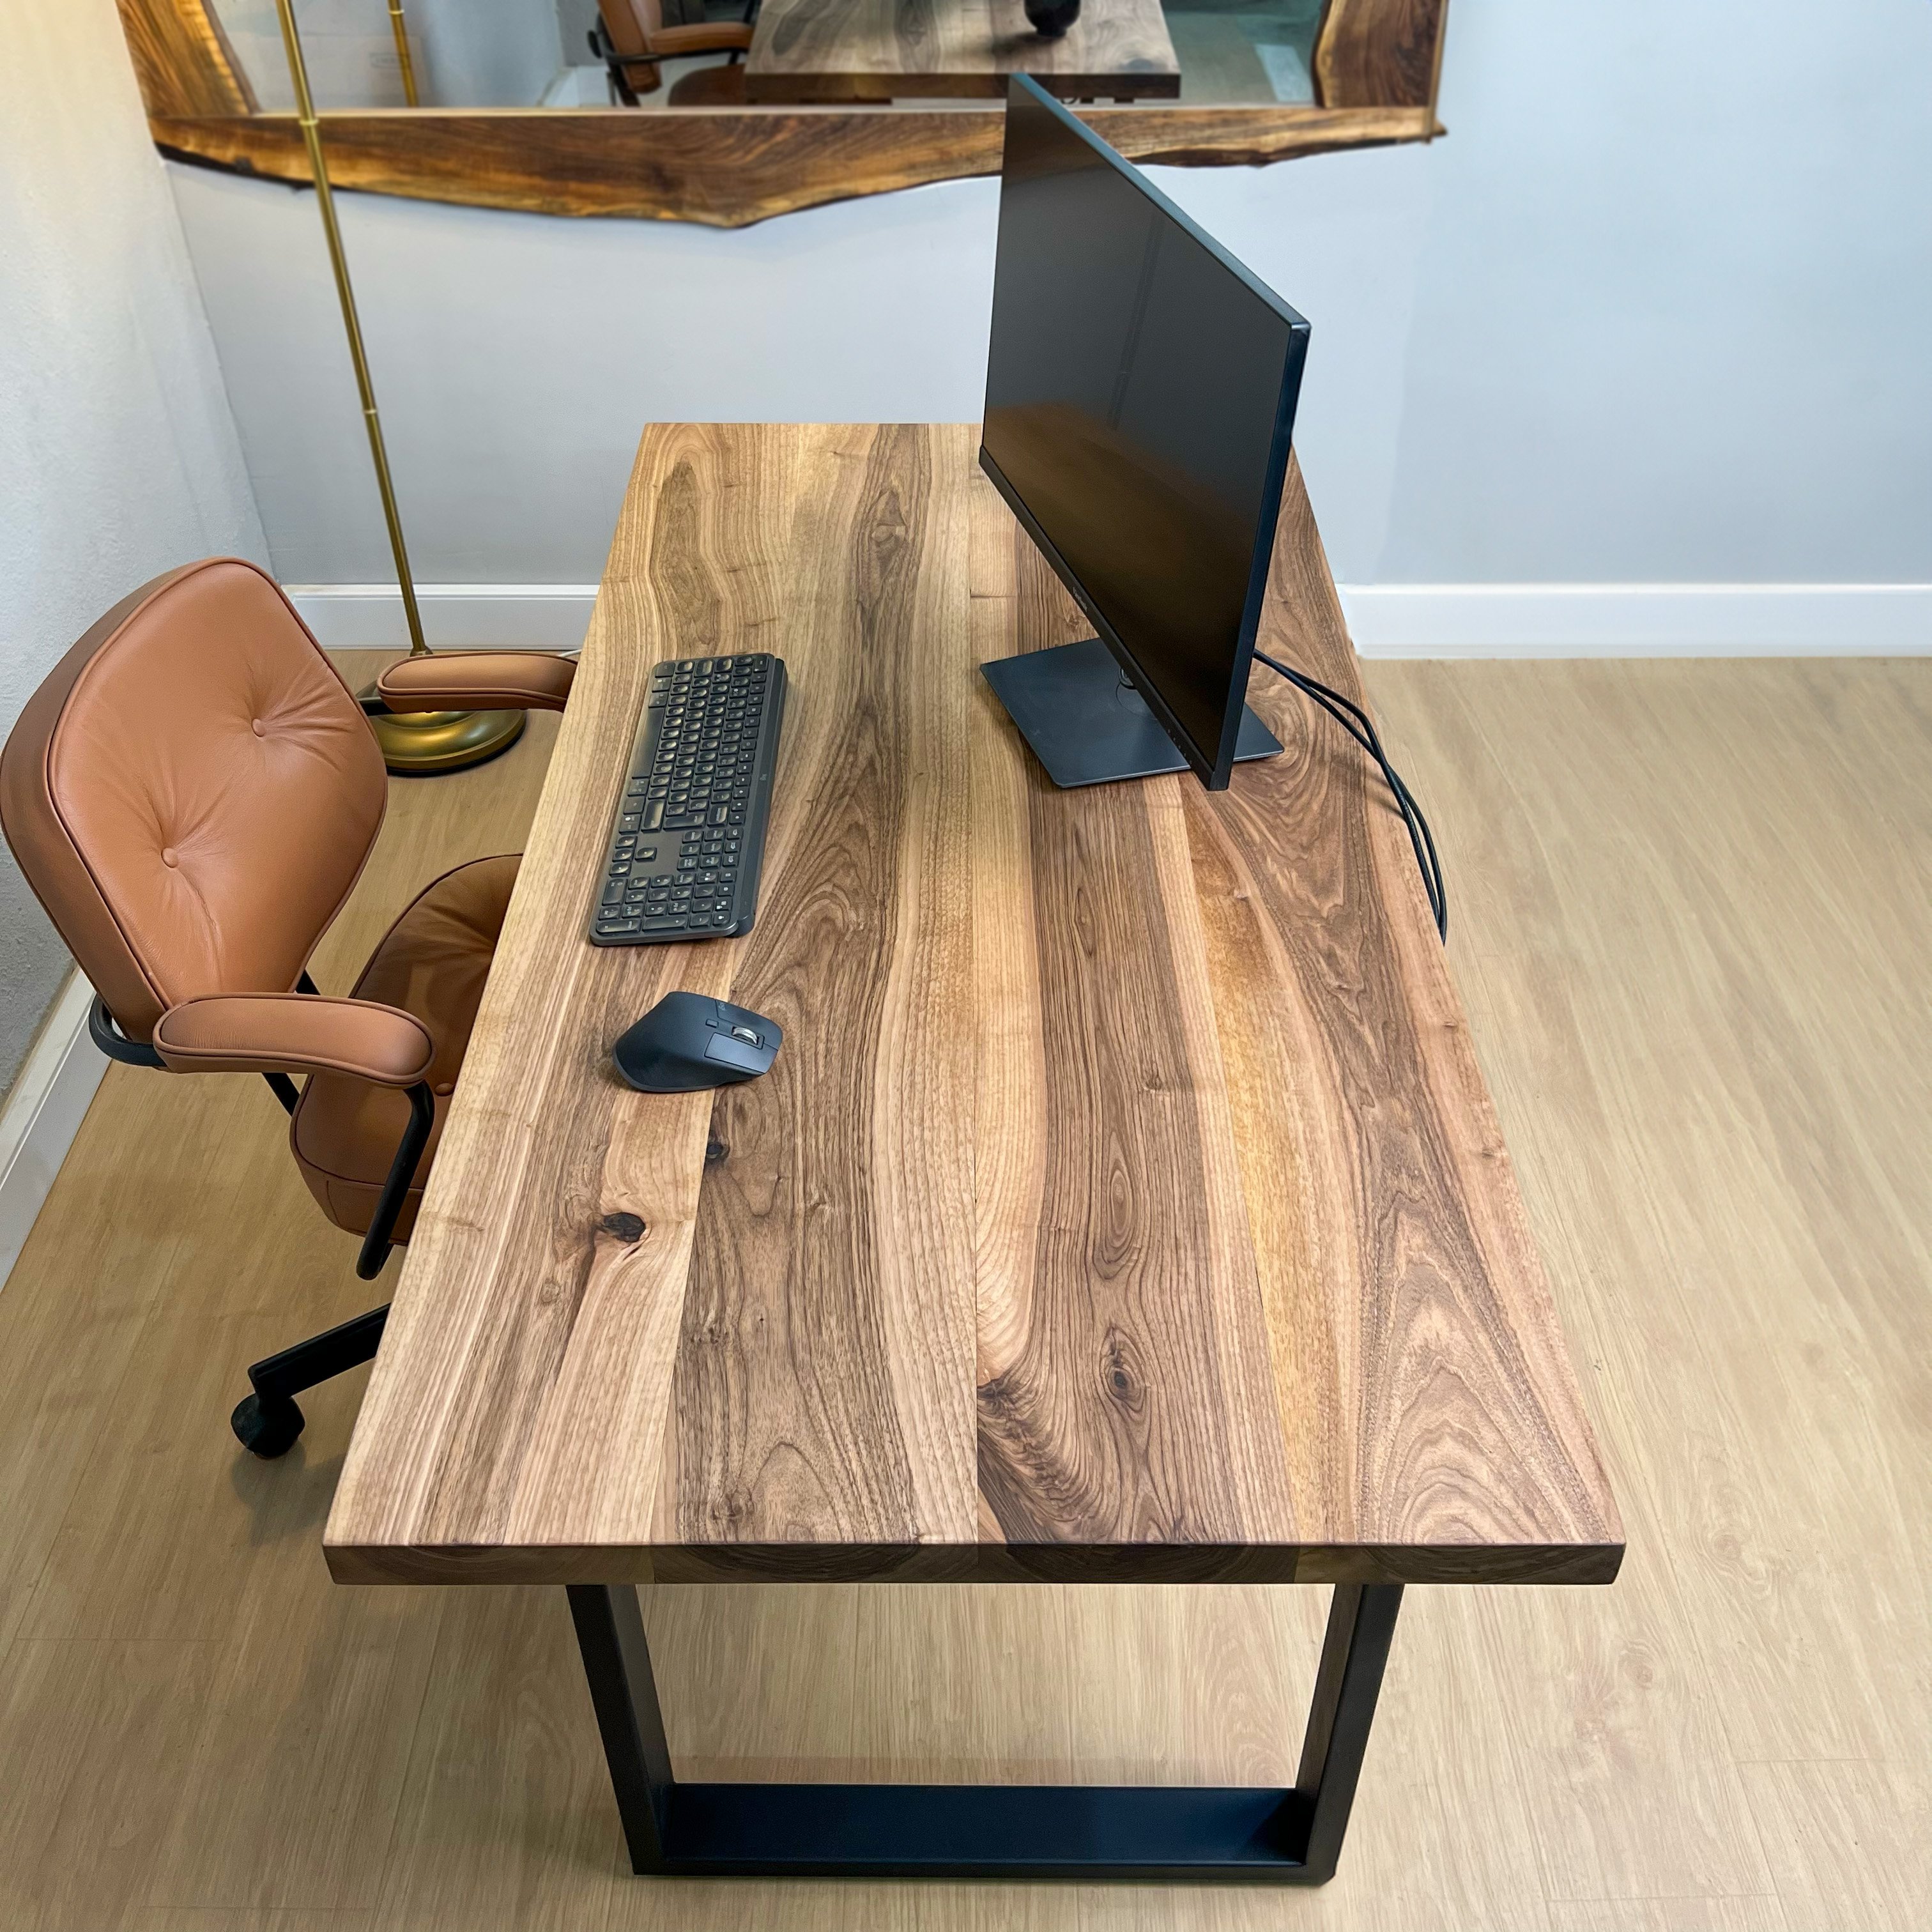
{"x":192,"y":793}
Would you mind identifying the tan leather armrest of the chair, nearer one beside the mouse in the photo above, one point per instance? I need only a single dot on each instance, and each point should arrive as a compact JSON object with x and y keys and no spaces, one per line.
{"x":295,"y":1035}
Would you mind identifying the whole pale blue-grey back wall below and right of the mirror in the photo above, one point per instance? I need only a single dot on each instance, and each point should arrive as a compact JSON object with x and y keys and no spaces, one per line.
{"x":1653,"y":314}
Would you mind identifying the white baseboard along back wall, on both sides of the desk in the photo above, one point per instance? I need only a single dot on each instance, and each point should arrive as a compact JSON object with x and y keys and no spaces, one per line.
{"x":1386,"y":619}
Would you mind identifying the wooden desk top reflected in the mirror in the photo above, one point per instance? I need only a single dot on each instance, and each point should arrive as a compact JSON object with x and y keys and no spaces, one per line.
{"x":907,"y":49}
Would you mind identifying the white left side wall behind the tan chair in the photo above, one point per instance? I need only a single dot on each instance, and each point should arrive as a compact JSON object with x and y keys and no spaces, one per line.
{"x":119,"y":457}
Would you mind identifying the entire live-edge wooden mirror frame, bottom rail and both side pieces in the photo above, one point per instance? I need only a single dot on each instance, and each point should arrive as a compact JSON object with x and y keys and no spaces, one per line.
{"x":1377,"y":67}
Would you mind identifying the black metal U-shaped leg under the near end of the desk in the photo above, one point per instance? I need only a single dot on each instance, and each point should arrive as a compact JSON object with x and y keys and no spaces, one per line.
{"x":1085,"y":1833}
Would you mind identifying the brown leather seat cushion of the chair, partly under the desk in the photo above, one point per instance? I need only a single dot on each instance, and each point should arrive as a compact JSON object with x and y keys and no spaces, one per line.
{"x":432,"y":963}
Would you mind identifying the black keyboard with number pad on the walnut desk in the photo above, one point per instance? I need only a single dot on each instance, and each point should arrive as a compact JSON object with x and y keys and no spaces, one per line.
{"x":691,"y":828}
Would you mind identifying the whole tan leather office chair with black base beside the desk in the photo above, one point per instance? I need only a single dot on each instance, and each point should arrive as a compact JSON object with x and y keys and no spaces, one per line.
{"x":192,"y":793}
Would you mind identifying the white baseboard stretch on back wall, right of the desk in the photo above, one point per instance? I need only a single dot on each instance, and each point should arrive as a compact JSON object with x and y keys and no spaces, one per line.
{"x":1639,"y":619}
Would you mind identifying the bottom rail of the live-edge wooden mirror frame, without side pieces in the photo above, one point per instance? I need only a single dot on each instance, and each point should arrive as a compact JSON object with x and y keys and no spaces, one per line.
{"x":724,"y":167}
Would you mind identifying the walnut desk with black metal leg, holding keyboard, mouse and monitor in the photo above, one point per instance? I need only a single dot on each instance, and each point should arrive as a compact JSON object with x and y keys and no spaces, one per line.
{"x":1125,"y":1203}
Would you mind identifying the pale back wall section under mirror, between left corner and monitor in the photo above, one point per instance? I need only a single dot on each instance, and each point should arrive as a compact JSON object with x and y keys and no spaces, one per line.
{"x":517,"y":356}
